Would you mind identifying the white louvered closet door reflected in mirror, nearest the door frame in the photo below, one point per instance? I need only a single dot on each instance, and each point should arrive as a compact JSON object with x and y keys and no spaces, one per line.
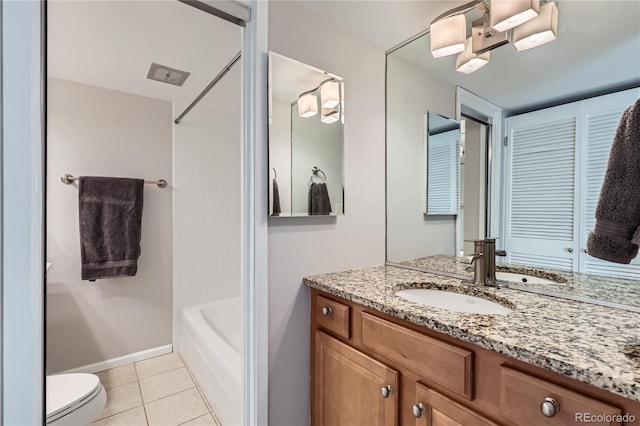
{"x":541,"y":203}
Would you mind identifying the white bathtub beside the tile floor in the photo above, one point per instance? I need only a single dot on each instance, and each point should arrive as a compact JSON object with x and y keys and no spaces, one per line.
{"x":211,"y":345}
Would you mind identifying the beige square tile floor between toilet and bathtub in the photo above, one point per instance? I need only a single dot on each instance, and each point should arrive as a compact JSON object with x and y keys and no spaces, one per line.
{"x":156,"y":391}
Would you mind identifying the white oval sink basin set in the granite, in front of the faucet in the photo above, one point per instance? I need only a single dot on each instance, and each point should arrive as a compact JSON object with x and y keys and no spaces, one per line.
{"x":452,"y":301}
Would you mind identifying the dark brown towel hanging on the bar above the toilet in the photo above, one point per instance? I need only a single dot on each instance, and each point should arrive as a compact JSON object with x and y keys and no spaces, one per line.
{"x":110,"y":226}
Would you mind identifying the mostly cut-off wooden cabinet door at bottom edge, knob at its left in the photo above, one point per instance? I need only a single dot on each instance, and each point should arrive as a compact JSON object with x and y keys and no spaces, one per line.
{"x":438,"y":410}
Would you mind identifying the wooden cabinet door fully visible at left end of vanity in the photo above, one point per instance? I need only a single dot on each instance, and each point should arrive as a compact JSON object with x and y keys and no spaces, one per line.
{"x":348,"y":387}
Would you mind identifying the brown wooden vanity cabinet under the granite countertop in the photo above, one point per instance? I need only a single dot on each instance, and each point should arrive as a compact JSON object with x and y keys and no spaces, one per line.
{"x":369,"y":368}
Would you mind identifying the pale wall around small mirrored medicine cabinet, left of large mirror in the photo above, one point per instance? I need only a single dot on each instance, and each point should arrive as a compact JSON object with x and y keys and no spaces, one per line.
{"x":304,"y":246}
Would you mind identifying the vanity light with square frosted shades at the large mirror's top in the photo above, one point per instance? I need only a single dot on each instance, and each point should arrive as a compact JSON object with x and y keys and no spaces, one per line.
{"x":526,"y":23}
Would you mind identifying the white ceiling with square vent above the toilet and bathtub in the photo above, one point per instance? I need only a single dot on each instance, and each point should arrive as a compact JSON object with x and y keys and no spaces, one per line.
{"x":111,"y":44}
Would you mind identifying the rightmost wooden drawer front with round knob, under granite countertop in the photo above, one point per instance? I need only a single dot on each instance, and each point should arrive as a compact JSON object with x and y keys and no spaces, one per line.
{"x":522,"y":397}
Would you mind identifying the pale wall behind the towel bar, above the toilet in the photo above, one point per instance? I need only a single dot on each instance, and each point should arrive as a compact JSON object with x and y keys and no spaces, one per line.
{"x":100,"y":132}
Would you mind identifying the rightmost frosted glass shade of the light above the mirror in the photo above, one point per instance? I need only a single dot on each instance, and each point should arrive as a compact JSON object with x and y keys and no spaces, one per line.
{"x":538,"y":31}
